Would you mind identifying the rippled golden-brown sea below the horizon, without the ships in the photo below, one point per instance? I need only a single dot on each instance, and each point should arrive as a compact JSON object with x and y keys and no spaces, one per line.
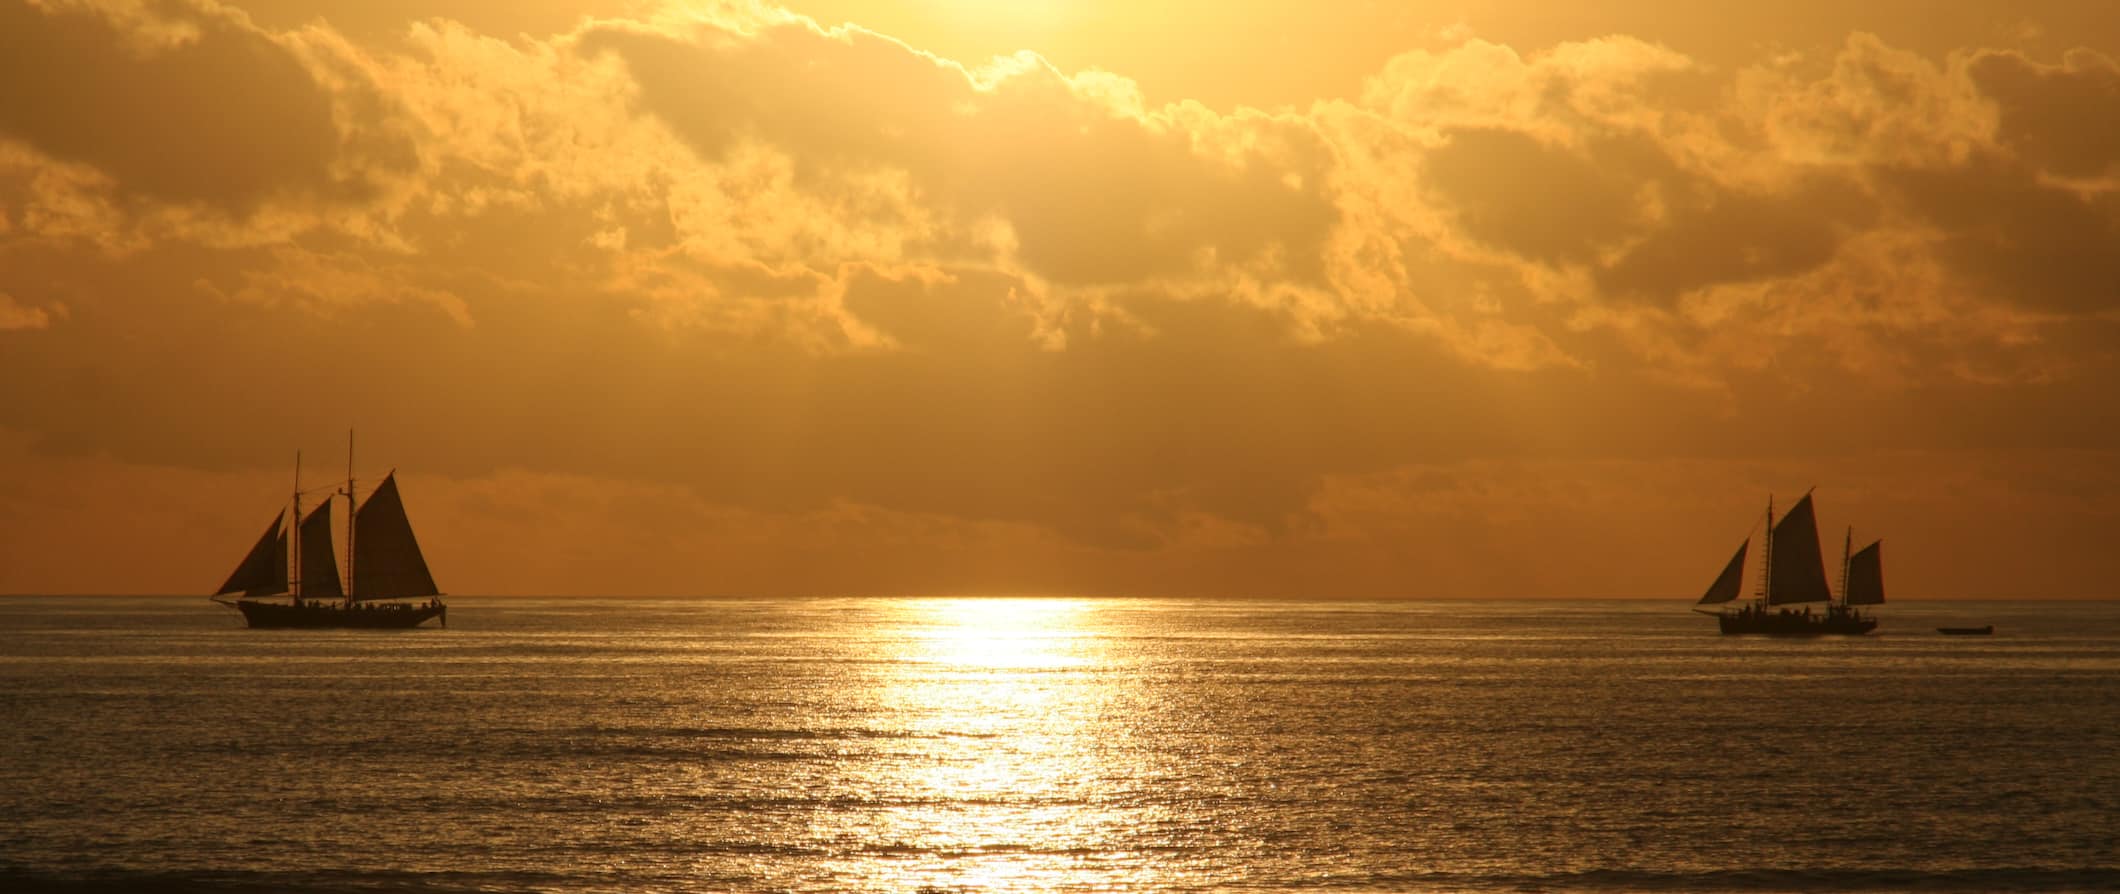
{"x":1055,"y":745}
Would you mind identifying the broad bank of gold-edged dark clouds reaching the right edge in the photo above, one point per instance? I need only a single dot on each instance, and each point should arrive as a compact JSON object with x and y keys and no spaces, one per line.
{"x":1642,"y":209}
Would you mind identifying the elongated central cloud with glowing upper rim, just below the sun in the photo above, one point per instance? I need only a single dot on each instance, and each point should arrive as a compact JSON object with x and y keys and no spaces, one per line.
{"x":1089,"y":185}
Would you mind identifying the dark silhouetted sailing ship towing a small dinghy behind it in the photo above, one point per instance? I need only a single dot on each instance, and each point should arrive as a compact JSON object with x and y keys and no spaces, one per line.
{"x":1792,"y":582}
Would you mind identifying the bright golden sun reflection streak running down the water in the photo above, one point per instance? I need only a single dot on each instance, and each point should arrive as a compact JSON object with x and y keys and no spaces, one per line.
{"x":1002,"y":785}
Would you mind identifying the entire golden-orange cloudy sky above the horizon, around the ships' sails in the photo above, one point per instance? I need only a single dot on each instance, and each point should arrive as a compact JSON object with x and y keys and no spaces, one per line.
{"x":1428,"y":298}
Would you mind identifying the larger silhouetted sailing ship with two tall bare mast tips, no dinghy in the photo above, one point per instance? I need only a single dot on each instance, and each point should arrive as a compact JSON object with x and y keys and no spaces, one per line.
{"x":298,"y":584}
